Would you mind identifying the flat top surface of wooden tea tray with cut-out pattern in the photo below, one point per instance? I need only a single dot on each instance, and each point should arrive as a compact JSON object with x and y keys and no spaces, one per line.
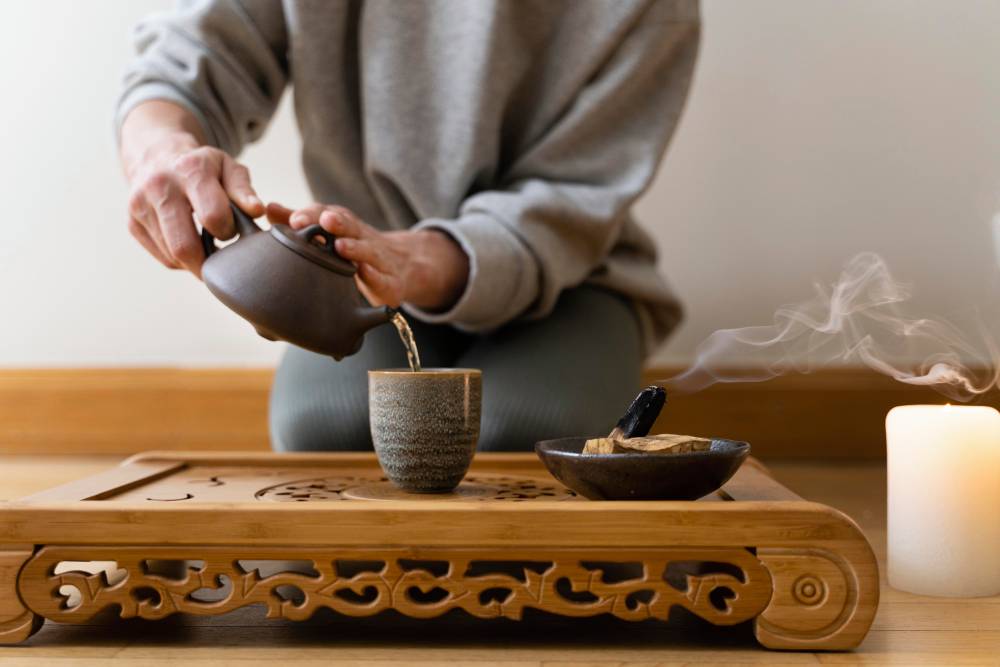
{"x":194,"y":479}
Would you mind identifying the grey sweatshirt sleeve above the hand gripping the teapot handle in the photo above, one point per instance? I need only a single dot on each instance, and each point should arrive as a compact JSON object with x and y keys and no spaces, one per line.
{"x":223,"y":60}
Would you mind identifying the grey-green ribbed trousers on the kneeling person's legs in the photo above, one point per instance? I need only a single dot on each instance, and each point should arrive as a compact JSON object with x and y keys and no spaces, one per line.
{"x":573,"y":373}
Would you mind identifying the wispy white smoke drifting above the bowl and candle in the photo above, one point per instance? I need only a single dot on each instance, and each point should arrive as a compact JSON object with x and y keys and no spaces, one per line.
{"x":859,"y":319}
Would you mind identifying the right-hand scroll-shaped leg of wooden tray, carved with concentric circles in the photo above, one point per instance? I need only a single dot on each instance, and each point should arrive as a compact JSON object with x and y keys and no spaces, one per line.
{"x":821,"y":600}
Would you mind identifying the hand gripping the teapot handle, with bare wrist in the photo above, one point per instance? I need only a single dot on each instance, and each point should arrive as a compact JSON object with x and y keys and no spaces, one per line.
{"x":173,"y":182}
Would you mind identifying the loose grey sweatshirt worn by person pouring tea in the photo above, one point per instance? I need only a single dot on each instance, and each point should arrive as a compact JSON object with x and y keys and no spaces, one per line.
{"x":525,"y":129}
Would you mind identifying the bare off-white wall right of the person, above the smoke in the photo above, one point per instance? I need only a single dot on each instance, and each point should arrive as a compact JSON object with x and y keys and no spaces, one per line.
{"x":819,"y":129}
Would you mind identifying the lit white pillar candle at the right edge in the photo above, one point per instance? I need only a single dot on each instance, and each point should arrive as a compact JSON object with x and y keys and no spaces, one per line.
{"x":944,"y":499}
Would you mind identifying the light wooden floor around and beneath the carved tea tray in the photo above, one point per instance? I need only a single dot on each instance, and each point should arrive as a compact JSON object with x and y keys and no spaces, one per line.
{"x":909,"y":629}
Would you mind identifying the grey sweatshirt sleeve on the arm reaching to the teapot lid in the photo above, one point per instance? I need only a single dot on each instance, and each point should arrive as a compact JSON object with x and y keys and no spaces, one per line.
{"x":566,"y":198}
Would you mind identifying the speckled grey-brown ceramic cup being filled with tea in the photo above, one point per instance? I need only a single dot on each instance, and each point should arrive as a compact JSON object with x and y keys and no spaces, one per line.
{"x":425,"y":425}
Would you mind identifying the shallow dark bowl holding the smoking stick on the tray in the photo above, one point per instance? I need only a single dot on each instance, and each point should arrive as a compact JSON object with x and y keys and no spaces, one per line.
{"x":685,"y":476}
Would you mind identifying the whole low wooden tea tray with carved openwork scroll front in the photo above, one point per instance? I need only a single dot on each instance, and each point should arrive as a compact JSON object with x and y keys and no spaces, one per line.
{"x":801,"y":571}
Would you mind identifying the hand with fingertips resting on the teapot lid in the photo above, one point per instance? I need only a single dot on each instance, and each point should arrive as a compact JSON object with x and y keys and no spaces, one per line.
{"x":426,"y":268}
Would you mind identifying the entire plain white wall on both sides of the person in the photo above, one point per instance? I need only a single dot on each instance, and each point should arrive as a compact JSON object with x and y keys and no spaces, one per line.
{"x":814,"y":130}
